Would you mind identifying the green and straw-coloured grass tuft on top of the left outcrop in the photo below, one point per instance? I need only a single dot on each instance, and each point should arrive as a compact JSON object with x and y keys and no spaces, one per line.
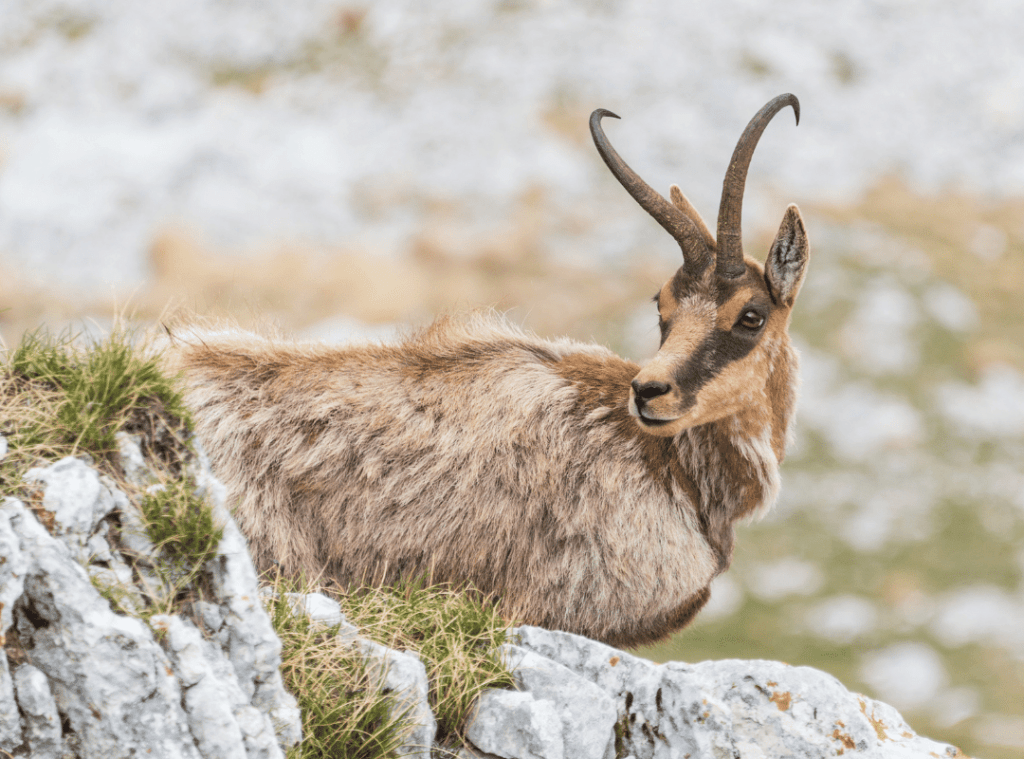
{"x":62,"y":399}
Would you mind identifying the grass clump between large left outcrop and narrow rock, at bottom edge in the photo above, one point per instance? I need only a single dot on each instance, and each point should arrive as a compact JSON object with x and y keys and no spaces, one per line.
{"x":346,"y":714}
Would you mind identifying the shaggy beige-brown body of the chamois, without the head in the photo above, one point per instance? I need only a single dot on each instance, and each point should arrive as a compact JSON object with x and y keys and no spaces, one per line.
{"x":478,"y":454}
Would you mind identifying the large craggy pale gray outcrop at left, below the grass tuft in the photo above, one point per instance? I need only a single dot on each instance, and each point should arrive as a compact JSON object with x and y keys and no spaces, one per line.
{"x":84,"y":681}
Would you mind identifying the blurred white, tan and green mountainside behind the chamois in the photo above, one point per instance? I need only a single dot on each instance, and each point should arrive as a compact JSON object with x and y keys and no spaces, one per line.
{"x":342,"y":168}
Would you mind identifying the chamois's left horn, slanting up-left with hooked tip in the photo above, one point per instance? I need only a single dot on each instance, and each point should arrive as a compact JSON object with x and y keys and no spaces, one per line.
{"x":696,"y":255}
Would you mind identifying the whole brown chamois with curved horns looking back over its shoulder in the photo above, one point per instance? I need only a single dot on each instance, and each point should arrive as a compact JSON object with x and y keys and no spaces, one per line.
{"x":581,"y":491}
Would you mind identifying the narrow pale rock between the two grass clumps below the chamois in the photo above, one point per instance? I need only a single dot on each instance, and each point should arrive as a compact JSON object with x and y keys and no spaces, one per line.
{"x":403,"y":674}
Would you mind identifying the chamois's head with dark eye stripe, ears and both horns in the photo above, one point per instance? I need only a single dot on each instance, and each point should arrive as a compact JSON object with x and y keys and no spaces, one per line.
{"x":723,"y":317}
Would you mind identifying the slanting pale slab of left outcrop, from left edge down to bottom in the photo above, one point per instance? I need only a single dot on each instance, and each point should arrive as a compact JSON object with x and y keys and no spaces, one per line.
{"x":110,"y":679}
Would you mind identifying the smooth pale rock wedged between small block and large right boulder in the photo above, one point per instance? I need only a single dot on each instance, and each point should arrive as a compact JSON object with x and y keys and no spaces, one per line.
{"x":586,"y":712}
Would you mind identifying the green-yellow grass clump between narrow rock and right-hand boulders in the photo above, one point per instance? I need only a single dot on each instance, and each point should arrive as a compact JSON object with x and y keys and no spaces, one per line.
{"x":456,"y":636}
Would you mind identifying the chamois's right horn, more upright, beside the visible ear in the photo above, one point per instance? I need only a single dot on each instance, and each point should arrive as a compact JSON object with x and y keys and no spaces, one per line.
{"x":730,"y":262}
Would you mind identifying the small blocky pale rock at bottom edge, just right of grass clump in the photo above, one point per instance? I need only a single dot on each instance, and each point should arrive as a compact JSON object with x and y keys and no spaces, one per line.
{"x":514,"y":725}
